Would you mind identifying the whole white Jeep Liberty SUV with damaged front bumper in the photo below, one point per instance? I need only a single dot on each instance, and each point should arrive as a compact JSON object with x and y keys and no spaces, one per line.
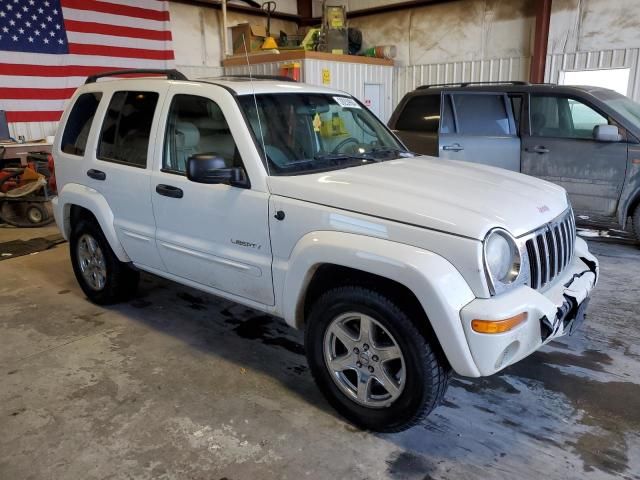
{"x":297,"y":201}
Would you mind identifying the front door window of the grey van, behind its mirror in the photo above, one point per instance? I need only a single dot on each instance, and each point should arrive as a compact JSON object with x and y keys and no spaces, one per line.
{"x":563,"y":117}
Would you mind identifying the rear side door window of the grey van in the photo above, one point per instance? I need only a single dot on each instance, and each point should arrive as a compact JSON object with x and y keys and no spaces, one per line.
{"x":481,"y":114}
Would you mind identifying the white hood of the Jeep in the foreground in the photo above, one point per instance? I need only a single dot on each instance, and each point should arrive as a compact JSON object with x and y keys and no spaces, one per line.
{"x":455,"y":197}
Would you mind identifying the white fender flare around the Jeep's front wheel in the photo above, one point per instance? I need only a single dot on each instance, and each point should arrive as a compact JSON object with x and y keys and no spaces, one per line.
{"x":431,"y":287}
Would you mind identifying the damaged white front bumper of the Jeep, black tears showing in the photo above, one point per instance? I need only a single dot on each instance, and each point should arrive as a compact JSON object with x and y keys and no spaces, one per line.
{"x":551,"y":313}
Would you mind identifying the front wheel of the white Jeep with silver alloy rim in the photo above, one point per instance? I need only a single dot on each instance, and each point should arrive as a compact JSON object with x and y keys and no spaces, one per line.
{"x":371,"y":362}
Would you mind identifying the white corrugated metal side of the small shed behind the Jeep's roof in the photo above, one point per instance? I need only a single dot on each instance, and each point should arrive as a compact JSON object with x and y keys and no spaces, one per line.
{"x":348,"y":77}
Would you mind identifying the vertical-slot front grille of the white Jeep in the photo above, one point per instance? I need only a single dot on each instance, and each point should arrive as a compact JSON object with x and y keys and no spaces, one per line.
{"x":550,"y":250}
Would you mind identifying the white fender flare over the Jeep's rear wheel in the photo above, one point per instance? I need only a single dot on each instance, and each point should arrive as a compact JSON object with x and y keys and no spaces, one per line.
{"x":86,"y":197}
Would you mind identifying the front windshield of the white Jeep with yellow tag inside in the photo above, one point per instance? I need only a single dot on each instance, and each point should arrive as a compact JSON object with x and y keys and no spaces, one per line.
{"x":307,"y":133}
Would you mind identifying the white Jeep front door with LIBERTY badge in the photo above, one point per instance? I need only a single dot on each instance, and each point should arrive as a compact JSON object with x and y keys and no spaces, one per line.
{"x":214,"y":235}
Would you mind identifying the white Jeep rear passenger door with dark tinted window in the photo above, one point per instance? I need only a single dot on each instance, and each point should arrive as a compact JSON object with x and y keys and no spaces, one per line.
{"x":120,"y":169}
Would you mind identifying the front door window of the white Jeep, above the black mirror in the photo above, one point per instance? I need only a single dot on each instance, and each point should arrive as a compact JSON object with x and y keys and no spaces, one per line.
{"x":197,"y":125}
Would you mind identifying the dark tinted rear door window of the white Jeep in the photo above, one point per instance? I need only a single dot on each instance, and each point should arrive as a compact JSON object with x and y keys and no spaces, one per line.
{"x":125,"y":131}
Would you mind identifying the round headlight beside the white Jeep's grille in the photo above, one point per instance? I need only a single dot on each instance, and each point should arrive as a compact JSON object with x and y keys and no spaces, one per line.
{"x":502,"y":260}
